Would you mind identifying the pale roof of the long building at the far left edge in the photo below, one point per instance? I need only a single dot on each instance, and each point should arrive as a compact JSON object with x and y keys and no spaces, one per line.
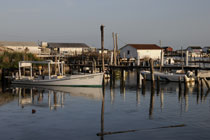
{"x":16,"y":43}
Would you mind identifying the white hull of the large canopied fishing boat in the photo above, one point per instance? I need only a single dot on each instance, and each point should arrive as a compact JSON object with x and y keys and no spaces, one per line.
{"x":86,"y":80}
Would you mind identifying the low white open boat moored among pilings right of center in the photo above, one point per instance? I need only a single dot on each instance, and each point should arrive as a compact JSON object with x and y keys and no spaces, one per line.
{"x":173,"y":77}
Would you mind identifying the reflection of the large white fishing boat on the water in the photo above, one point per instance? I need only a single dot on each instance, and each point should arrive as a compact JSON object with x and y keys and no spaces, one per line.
{"x":52,"y":96}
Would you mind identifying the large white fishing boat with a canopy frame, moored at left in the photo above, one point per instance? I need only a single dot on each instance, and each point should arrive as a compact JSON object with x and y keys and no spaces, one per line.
{"x":59,"y":79}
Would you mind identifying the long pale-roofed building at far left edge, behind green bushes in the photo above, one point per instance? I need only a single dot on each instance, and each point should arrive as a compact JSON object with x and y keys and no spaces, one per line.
{"x":31,"y":47}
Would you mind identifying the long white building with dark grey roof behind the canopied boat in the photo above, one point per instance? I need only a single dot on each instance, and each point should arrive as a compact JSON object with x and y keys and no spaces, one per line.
{"x":68,"y":48}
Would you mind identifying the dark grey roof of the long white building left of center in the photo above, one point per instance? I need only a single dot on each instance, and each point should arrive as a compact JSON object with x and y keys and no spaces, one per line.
{"x":67,"y":45}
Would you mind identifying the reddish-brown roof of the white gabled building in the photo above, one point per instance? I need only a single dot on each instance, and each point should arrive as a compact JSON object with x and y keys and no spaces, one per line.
{"x":144,"y":46}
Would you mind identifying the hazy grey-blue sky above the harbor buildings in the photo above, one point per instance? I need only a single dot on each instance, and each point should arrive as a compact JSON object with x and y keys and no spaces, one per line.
{"x":177,"y":23}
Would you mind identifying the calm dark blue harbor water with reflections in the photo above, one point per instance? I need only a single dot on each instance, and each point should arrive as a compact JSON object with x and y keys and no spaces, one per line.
{"x":75,"y":113}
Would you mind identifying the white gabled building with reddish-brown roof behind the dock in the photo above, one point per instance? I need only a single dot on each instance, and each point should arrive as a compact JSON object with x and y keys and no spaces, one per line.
{"x":140,"y":51}
